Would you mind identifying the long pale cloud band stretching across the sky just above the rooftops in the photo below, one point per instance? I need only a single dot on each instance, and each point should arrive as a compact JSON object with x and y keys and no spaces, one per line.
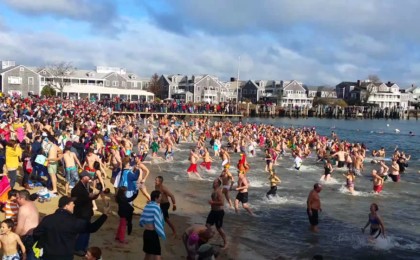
{"x":146,"y":49}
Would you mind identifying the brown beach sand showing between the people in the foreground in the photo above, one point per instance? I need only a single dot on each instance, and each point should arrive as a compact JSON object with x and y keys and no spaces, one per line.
{"x":172,"y":248}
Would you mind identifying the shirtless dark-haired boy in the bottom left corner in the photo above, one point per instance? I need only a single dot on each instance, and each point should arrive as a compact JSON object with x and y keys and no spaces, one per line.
{"x":9,"y":241}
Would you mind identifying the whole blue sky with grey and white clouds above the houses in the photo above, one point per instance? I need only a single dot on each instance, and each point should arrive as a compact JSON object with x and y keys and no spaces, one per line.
{"x":313,"y":41}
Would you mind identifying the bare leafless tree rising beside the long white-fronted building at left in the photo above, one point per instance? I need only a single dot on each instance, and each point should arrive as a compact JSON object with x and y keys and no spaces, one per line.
{"x":60,"y":71}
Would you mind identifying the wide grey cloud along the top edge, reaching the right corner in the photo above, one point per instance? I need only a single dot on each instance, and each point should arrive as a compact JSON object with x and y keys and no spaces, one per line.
{"x":238,"y":16}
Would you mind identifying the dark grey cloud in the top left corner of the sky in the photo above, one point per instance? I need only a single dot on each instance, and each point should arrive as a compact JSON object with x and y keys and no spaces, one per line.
{"x":102,"y":15}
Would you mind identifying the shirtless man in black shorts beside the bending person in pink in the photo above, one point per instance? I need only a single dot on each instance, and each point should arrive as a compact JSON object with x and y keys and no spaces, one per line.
{"x":217,"y":213}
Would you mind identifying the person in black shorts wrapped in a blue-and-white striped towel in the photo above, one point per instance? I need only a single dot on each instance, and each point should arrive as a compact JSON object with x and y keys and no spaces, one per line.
{"x":153,"y":223}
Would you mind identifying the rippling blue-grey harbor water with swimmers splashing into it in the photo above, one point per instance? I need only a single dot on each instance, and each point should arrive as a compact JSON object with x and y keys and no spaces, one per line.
{"x":280,"y":228}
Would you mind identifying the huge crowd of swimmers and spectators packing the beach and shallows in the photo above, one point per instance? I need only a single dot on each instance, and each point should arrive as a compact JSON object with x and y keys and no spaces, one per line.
{"x":83,"y":141}
